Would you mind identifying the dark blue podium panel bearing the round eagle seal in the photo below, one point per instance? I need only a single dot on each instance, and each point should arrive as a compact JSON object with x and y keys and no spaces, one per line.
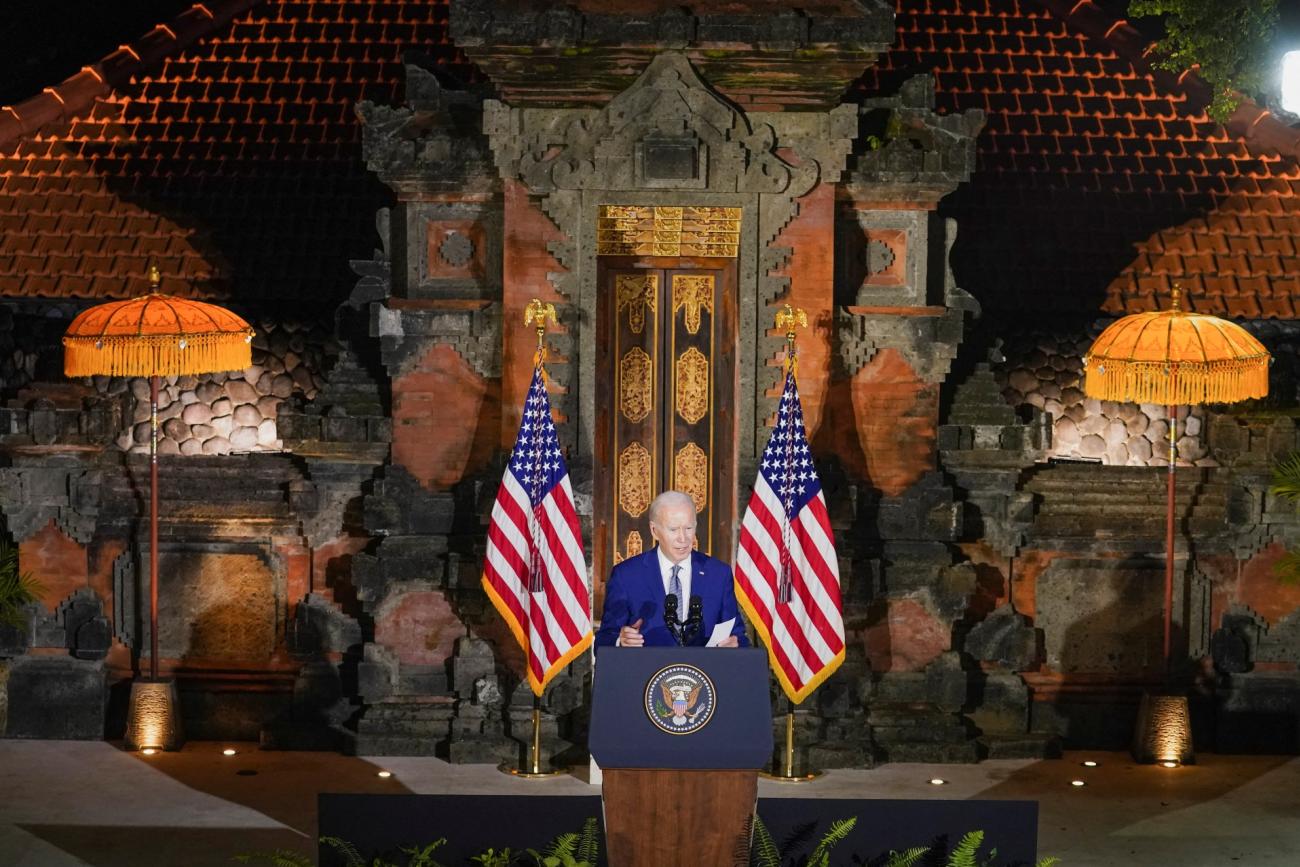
{"x":682,"y":708}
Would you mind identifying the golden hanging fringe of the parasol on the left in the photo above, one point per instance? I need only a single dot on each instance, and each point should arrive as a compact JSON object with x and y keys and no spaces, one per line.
{"x":157,"y":354}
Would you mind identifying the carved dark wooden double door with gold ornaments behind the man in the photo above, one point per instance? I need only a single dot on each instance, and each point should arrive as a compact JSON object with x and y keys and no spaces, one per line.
{"x":665,"y":401}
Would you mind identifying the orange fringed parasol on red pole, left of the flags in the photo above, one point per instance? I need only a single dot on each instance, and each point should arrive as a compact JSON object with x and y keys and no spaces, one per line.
{"x":150,"y":337}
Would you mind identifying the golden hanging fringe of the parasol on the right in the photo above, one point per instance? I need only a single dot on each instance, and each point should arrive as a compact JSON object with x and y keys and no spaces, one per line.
{"x":1177,"y":384}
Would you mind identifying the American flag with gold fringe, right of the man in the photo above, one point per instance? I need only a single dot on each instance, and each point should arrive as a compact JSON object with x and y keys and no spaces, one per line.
{"x":787,"y":573}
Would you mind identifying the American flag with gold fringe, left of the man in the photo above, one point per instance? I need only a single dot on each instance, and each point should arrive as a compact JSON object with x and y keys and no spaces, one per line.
{"x":535,"y":571}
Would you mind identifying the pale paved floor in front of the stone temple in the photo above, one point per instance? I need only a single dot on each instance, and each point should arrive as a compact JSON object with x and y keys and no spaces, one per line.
{"x":76,"y":804}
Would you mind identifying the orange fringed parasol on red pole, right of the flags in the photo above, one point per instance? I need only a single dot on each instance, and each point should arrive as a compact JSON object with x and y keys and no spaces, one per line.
{"x":1175,"y":357}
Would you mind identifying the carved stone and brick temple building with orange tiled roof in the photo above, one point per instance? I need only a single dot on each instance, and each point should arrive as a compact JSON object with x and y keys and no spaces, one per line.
{"x":670,"y":177}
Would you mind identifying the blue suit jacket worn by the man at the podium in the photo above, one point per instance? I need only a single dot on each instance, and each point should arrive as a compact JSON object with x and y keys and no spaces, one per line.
{"x":636,"y":592}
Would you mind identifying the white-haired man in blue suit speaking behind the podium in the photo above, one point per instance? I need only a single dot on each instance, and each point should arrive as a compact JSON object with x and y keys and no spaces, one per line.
{"x":635,"y":597}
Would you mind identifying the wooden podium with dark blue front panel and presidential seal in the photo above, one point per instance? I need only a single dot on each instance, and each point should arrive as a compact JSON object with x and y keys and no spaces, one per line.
{"x":681,"y":735}
